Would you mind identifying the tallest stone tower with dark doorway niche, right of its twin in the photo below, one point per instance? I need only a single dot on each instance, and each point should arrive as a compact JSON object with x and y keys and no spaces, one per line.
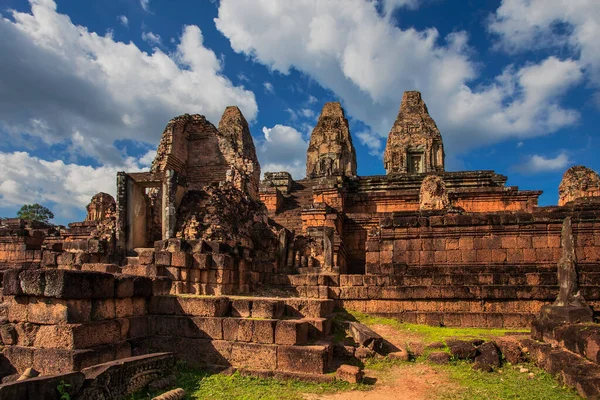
{"x":414,"y":144}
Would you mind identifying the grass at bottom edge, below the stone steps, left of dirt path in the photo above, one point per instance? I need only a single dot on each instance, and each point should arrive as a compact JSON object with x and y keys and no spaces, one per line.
{"x":200,"y":384}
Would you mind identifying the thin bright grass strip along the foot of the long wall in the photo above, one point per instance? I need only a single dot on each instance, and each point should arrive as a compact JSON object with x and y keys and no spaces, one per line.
{"x":431,"y":334}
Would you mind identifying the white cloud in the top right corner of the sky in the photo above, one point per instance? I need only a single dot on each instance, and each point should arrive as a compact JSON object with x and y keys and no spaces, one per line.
{"x":571,"y":25}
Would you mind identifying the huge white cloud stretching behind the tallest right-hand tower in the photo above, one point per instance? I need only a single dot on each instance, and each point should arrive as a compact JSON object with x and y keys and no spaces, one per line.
{"x":368,"y":62}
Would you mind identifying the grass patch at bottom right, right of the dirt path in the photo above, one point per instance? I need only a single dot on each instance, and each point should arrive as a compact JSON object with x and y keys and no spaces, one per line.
{"x":510,"y":384}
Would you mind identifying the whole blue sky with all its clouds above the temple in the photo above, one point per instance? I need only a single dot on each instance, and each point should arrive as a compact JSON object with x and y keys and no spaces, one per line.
{"x":86,"y":87}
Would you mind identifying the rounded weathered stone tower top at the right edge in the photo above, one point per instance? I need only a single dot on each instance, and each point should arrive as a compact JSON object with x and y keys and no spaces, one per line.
{"x":578,"y":182}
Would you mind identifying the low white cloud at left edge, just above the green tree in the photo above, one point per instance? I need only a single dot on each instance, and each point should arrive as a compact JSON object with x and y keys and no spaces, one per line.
{"x":26,"y":179}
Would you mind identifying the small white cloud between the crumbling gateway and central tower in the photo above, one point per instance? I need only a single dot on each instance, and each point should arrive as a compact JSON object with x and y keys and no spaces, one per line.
{"x":282,"y":148}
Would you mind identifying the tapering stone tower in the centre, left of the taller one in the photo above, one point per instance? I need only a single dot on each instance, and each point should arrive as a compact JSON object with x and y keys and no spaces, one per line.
{"x":330,"y":152}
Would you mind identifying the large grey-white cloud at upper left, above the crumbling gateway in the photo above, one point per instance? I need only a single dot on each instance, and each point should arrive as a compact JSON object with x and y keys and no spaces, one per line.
{"x":90,"y":90}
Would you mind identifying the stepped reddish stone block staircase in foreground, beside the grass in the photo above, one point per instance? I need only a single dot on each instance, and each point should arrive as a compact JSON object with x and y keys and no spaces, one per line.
{"x":251,"y":333}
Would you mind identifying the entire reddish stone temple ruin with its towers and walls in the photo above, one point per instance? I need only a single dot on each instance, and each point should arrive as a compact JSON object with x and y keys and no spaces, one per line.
{"x":269,"y":260}
